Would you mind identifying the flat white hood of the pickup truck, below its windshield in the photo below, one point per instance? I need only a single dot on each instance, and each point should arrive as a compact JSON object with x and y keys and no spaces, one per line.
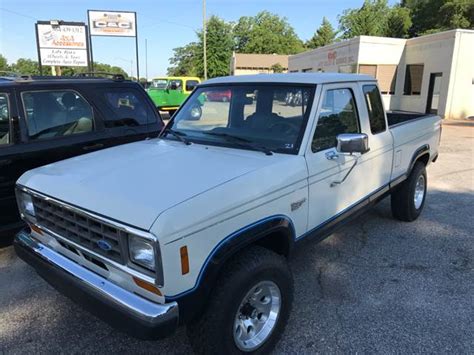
{"x":135,"y":183}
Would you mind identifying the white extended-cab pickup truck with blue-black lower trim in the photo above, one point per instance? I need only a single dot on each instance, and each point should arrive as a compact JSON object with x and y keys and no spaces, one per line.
{"x":196,"y":227}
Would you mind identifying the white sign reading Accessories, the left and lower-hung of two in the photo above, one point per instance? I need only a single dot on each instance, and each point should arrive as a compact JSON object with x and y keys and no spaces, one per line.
{"x":62,"y":44}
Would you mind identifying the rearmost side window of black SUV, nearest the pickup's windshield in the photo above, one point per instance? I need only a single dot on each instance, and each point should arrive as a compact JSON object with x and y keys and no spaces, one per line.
{"x":129,"y":109}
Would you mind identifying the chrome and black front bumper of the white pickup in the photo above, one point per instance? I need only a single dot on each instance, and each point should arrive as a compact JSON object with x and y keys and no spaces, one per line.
{"x":120,"y":308}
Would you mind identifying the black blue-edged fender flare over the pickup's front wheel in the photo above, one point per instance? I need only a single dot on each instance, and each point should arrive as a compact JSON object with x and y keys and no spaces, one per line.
{"x":192,"y":301}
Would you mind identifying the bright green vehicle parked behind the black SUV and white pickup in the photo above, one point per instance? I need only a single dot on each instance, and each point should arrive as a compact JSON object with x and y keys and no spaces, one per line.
{"x":168,"y":93}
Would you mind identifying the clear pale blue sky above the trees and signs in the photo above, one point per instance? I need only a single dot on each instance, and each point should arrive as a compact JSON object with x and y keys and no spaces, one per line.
{"x":163,"y":24}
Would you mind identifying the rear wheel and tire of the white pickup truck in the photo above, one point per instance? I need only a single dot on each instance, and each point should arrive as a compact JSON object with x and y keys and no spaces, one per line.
{"x":409,"y":198}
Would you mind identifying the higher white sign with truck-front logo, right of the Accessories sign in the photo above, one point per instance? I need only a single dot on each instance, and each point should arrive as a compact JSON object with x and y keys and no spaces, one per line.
{"x":112,"y":23}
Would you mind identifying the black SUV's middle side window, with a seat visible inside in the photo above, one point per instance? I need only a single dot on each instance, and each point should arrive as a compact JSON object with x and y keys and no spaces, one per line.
{"x":58,"y":113}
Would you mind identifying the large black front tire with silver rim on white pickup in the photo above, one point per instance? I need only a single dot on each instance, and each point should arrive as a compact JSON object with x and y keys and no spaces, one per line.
{"x":252,"y":270}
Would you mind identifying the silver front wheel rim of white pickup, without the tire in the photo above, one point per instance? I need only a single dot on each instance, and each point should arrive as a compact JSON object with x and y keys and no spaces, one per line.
{"x":257,"y":316}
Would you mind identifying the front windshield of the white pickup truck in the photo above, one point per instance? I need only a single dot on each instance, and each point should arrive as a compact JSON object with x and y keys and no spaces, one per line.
{"x":268,"y":116}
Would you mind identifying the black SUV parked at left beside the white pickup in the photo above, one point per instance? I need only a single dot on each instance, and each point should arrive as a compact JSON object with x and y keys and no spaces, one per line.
{"x":43,"y":120}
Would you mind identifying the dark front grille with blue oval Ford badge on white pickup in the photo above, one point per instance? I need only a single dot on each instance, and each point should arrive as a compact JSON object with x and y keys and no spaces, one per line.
{"x":80,"y":228}
